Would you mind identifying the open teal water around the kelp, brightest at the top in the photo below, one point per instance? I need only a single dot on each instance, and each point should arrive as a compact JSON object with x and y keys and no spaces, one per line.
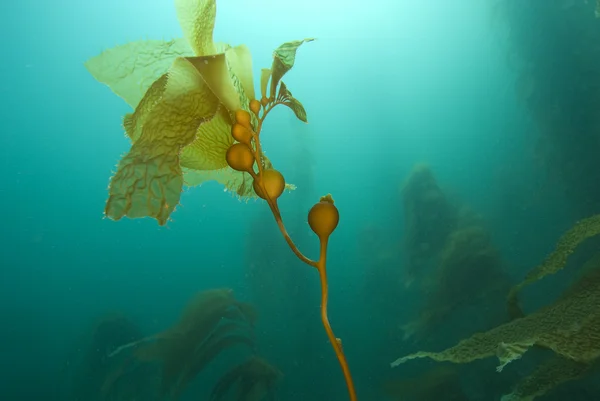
{"x":386,"y":85}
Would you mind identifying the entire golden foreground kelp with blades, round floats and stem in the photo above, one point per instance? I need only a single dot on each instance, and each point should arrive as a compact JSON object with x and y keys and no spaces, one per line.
{"x":196,"y":118}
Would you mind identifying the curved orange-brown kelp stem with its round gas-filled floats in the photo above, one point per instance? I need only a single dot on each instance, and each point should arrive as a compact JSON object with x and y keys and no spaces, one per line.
{"x":269,"y":184}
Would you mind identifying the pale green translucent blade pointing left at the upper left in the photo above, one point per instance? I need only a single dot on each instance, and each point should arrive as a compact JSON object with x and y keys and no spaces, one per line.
{"x":130,"y":69}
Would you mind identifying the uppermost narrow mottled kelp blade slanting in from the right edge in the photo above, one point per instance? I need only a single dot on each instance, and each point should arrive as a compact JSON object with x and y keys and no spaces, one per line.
{"x":566,"y":245}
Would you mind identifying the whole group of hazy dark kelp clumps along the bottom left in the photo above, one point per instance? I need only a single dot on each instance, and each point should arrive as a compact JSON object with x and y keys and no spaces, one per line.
{"x":163,"y":365}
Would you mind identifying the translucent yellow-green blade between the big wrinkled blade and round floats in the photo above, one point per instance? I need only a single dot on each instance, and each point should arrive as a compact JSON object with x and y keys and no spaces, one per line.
{"x":213,"y":139}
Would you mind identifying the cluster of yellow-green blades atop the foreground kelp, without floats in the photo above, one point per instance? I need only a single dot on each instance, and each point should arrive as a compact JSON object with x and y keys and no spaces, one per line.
{"x":170,"y":135}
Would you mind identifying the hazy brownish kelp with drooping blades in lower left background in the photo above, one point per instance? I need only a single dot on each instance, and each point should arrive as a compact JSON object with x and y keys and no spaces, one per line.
{"x":212,"y":322}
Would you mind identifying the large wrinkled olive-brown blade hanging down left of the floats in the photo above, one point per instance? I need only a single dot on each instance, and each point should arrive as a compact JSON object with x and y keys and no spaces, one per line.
{"x":149,"y":179}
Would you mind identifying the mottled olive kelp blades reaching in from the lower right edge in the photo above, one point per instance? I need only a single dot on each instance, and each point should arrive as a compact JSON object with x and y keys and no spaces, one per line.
{"x":569,"y":326}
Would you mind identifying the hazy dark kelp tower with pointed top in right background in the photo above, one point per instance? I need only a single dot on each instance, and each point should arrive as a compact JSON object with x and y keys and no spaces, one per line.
{"x":449,"y":247}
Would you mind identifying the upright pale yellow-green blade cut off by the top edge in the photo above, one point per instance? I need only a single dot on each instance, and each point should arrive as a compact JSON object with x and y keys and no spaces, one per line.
{"x":197,"y":21}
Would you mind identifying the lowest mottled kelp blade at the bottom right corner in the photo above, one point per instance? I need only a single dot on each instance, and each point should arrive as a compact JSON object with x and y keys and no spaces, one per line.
{"x":548,"y":375}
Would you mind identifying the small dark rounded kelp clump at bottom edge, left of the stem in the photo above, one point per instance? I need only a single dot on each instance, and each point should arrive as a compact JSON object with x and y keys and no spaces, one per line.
{"x":253,"y":380}
